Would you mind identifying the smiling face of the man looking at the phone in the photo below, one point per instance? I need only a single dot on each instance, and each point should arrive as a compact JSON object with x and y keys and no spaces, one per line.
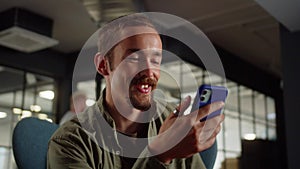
{"x":136,"y":69}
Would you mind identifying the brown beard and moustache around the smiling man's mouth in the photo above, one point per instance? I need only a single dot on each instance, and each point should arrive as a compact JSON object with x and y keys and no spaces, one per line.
{"x":139,"y":100}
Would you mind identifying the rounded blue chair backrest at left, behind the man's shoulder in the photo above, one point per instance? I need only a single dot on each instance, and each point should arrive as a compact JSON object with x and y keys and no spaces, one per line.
{"x":30,"y":142}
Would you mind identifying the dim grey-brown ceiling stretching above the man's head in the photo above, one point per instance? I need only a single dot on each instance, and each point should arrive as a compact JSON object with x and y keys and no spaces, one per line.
{"x":241,"y":27}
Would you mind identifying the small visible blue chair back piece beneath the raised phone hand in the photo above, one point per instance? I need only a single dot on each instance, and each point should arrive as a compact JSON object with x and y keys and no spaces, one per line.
{"x":209,"y":156}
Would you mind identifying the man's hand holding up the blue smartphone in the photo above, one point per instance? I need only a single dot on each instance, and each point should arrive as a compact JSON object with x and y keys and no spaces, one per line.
{"x":181,"y":136}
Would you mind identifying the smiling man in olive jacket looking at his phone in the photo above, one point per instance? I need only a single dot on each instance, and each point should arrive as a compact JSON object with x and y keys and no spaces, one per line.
{"x":129,"y":127}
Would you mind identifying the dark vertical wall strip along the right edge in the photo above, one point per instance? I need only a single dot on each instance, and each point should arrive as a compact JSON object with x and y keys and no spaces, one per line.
{"x":291,"y":60}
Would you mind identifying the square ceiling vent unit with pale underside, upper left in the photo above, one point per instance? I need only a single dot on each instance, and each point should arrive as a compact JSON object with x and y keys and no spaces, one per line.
{"x":25,"y":31}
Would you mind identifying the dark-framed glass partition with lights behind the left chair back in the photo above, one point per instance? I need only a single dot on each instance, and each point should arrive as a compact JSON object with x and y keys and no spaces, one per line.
{"x":22,"y":94}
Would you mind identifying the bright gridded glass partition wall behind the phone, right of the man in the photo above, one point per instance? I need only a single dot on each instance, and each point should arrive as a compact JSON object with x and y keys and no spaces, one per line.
{"x":249,"y":115}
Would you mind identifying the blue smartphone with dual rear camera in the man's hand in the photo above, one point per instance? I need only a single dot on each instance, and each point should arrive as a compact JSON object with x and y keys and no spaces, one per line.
{"x":207,"y":94}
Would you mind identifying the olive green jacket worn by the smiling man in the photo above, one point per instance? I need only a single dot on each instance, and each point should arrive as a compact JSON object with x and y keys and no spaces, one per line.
{"x":92,"y":142}
